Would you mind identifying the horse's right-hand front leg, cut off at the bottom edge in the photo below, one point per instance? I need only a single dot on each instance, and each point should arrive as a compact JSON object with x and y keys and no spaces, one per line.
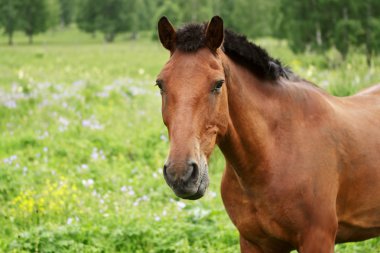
{"x":318,"y":240}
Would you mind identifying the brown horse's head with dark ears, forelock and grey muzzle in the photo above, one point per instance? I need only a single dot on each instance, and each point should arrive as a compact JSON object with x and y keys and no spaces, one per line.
{"x":194,"y":104}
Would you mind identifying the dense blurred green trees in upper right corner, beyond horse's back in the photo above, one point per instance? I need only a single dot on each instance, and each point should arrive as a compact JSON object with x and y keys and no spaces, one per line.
{"x":322,"y":24}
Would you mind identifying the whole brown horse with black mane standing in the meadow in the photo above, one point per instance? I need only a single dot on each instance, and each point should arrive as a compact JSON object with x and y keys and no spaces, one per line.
{"x":302,"y":167}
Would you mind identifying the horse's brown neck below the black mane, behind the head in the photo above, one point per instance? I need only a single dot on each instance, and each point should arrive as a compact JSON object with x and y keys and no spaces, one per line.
{"x":260,"y":112}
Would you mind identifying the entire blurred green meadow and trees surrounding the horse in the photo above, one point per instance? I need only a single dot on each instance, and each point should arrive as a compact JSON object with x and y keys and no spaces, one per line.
{"x":82,"y":141}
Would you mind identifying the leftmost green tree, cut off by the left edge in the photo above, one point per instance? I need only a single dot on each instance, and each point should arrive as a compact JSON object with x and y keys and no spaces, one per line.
{"x":9,"y":17}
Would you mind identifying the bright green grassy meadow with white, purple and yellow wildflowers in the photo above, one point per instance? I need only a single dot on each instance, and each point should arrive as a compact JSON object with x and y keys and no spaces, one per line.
{"x":82,"y":144}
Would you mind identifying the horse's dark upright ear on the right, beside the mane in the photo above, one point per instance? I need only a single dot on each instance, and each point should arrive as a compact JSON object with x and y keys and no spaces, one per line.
{"x":214,"y":33}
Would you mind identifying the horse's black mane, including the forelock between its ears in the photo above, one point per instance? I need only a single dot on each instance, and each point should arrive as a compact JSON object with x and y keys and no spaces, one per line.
{"x":191,"y":37}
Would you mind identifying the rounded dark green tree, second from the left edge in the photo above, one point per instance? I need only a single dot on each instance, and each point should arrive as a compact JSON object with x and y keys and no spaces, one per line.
{"x":34,"y":16}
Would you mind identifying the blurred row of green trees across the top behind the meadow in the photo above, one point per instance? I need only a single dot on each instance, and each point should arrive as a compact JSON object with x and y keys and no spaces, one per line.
{"x":308,"y":25}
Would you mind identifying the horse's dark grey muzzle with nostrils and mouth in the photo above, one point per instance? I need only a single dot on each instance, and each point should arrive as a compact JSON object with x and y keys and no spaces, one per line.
{"x":188,"y":180}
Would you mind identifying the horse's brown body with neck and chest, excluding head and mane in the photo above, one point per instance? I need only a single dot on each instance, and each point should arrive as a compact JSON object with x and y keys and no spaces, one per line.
{"x":316,"y":166}
